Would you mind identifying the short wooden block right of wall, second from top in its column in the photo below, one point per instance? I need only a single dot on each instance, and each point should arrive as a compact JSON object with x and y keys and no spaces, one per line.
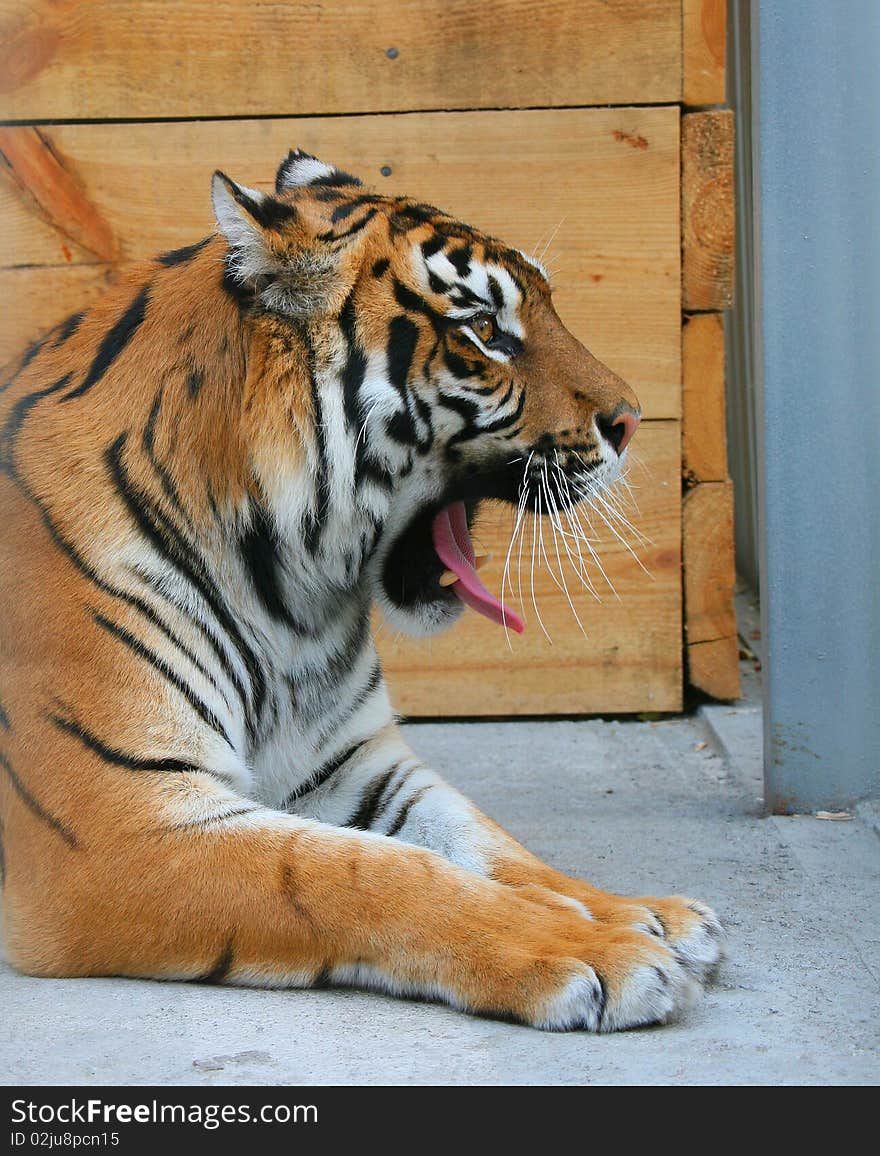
{"x":707,"y":210}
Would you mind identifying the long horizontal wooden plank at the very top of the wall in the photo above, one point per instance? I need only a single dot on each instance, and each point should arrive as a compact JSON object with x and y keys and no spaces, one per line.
{"x":120,"y":60}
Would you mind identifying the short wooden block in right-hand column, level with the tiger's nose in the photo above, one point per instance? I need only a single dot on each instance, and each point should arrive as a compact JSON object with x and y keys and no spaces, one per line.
{"x":704,"y":417}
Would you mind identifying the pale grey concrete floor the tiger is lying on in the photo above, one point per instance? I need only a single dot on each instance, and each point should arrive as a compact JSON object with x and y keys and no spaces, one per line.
{"x":637,"y":807}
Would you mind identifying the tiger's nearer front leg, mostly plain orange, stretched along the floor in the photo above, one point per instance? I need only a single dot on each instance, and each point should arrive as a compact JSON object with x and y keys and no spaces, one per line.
{"x":191,"y":884}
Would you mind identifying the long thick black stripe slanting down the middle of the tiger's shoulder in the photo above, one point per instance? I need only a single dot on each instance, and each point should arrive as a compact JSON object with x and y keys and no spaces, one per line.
{"x":178,"y":551}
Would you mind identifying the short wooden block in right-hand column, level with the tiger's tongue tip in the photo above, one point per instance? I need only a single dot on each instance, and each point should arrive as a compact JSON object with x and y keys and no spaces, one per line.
{"x":709,"y":570}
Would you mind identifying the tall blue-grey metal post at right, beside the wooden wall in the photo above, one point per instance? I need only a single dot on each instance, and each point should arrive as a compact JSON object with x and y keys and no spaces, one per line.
{"x":818,"y":184}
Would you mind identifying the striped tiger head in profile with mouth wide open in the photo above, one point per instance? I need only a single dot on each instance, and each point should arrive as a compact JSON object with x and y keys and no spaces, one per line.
{"x":442,"y":376}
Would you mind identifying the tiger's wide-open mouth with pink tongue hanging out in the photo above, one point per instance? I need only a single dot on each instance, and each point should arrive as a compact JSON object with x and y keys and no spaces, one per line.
{"x":434,"y":561}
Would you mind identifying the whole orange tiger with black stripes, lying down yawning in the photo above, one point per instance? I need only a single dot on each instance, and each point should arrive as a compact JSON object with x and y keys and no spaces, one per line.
{"x":209,"y":480}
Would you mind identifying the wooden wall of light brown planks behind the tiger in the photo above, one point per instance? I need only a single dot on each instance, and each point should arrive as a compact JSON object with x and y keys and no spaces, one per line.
{"x":564,"y":124}
